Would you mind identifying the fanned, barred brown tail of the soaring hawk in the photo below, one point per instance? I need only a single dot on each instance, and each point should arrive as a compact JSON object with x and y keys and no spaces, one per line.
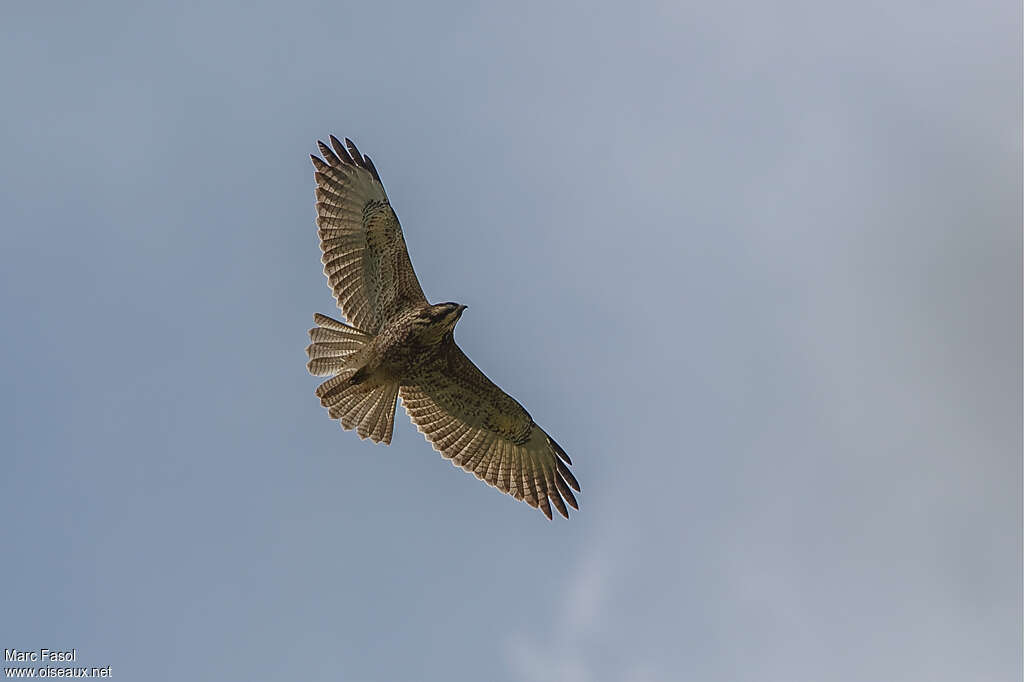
{"x":365,"y":405}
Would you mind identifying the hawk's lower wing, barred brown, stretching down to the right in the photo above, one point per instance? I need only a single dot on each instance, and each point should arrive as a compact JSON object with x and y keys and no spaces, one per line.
{"x":483,"y":430}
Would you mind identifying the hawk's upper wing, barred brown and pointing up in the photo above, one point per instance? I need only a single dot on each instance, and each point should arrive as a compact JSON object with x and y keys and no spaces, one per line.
{"x":365,"y":257}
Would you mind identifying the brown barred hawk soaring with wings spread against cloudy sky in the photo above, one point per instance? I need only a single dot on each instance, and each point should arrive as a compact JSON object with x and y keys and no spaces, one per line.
{"x":397,"y":344}
